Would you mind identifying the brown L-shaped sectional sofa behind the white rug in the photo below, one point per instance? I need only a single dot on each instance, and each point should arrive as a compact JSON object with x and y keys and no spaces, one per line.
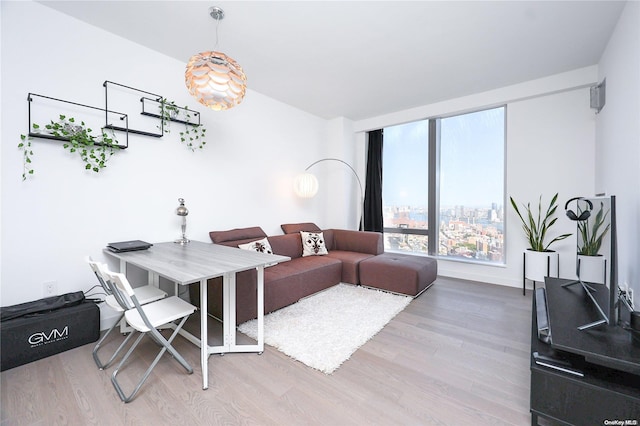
{"x":288,"y":282}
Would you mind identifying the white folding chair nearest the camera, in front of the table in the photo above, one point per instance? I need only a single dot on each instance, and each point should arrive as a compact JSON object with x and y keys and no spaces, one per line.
{"x":146,"y":319}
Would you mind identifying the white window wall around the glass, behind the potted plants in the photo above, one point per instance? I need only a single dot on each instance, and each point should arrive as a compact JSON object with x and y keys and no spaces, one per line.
{"x":550,"y":148}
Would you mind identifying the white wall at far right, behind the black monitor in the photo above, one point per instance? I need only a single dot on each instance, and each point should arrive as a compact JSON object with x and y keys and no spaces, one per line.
{"x":618,"y":139}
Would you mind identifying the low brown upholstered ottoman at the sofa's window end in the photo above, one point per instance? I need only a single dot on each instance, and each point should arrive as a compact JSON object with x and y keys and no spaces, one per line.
{"x":399,"y":273}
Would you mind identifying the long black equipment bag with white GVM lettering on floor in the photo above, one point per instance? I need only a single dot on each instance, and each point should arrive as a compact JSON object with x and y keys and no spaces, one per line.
{"x":38,"y":331}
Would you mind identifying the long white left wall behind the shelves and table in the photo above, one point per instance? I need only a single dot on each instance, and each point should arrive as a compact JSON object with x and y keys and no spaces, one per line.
{"x":51,"y":221}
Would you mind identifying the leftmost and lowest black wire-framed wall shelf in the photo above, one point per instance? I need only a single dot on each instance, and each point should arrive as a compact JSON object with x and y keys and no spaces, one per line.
{"x":45,"y":109}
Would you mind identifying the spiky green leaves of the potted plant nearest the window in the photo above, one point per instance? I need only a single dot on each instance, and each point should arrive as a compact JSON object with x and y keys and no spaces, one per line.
{"x":536,"y":228}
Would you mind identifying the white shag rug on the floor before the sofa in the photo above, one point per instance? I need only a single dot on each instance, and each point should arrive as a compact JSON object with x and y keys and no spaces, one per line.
{"x":323,"y":330}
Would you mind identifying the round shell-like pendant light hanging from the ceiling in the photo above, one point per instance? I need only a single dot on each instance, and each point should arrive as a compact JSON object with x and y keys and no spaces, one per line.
{"x":213,"y":78}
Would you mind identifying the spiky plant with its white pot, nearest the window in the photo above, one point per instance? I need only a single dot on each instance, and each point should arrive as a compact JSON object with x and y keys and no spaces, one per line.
{"x":538,"y":259}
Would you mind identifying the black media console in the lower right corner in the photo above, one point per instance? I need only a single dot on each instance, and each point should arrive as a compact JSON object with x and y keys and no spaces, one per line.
{"x":589,"y":377}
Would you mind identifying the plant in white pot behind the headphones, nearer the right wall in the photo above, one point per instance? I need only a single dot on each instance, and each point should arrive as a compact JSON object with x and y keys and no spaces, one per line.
{"x":591,"y":233}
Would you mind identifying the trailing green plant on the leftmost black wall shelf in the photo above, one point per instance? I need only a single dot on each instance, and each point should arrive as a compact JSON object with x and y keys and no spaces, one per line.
{"x":95,"y":151}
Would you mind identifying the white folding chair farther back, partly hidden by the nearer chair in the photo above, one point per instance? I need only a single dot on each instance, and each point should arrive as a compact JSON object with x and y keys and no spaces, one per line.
{"x":145,"y":294}
